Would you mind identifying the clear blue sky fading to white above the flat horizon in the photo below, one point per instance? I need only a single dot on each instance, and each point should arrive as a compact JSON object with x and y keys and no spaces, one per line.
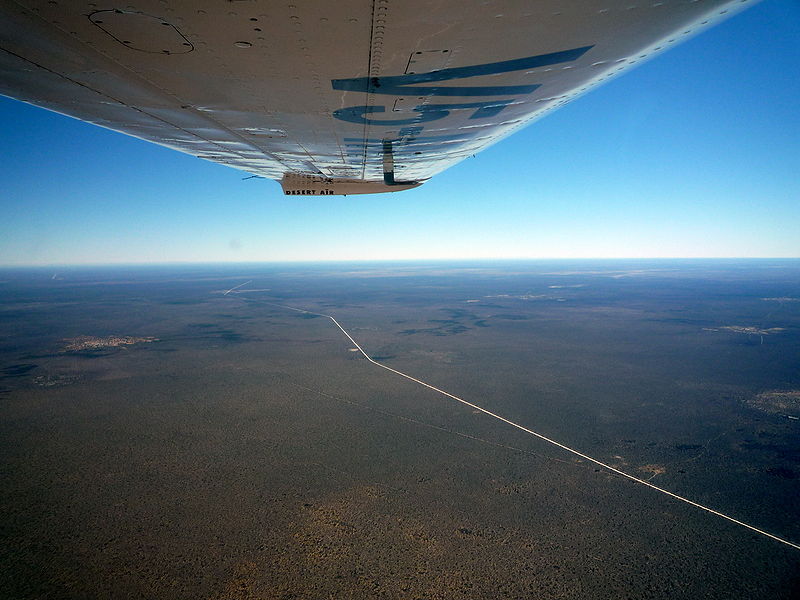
{"x":696,"y":153}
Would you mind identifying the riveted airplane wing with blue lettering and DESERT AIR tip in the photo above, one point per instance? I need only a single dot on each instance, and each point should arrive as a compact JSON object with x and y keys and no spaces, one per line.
{"x":344,"y":97}
